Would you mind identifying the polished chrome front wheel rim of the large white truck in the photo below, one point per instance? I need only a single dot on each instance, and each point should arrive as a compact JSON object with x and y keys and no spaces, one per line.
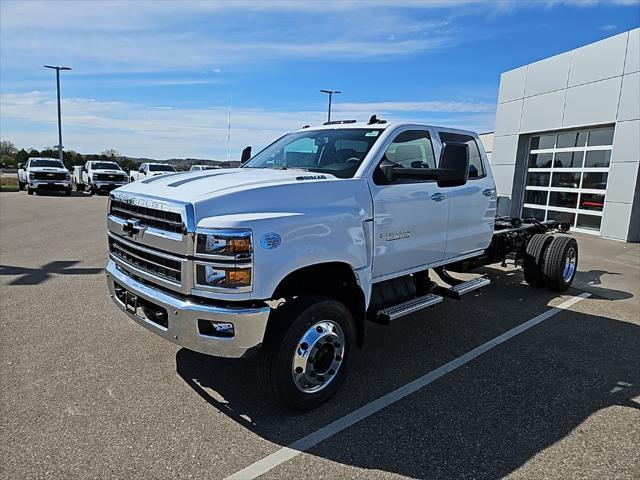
{"x":318,"y":356}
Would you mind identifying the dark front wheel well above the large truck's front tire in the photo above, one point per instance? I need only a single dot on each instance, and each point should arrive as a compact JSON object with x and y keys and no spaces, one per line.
{"x":335,"y":280}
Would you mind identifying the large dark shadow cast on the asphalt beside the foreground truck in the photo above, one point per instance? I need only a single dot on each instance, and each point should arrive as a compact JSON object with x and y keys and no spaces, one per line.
{"x":484,"y":420}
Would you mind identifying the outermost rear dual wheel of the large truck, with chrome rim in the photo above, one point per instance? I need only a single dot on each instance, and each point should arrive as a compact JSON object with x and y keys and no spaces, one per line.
{"x":561,"y":263}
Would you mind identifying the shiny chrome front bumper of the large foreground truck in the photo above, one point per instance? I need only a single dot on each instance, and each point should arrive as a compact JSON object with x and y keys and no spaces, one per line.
{"x":183,"y":315}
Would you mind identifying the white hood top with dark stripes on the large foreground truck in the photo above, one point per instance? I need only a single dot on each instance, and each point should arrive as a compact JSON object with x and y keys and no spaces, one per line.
{"x":192,"y":187}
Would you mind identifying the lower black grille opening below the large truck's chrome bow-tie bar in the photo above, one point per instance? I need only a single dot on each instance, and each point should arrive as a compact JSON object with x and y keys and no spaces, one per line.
{"x":154,"y":263}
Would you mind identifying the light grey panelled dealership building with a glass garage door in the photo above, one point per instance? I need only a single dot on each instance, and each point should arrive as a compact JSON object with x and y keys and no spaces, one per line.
{"x":566,"y":144}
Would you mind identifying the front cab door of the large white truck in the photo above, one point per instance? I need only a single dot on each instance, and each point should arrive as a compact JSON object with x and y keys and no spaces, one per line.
{"x":410,"y":217}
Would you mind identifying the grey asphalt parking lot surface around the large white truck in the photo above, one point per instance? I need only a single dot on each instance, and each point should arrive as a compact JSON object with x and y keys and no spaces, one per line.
{"x":86,"y":393}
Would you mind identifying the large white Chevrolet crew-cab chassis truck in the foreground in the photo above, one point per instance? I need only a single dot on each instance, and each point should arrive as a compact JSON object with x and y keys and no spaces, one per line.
{"x":324,"y":230}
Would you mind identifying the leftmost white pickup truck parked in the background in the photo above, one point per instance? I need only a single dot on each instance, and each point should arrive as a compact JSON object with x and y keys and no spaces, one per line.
{"x":41,"y":174}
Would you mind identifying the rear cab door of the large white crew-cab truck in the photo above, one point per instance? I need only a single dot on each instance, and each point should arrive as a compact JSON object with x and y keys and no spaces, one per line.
{"x":472,"y":206}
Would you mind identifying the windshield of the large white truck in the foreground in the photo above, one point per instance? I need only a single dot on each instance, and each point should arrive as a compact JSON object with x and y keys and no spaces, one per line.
{"x":338,"y":152}
